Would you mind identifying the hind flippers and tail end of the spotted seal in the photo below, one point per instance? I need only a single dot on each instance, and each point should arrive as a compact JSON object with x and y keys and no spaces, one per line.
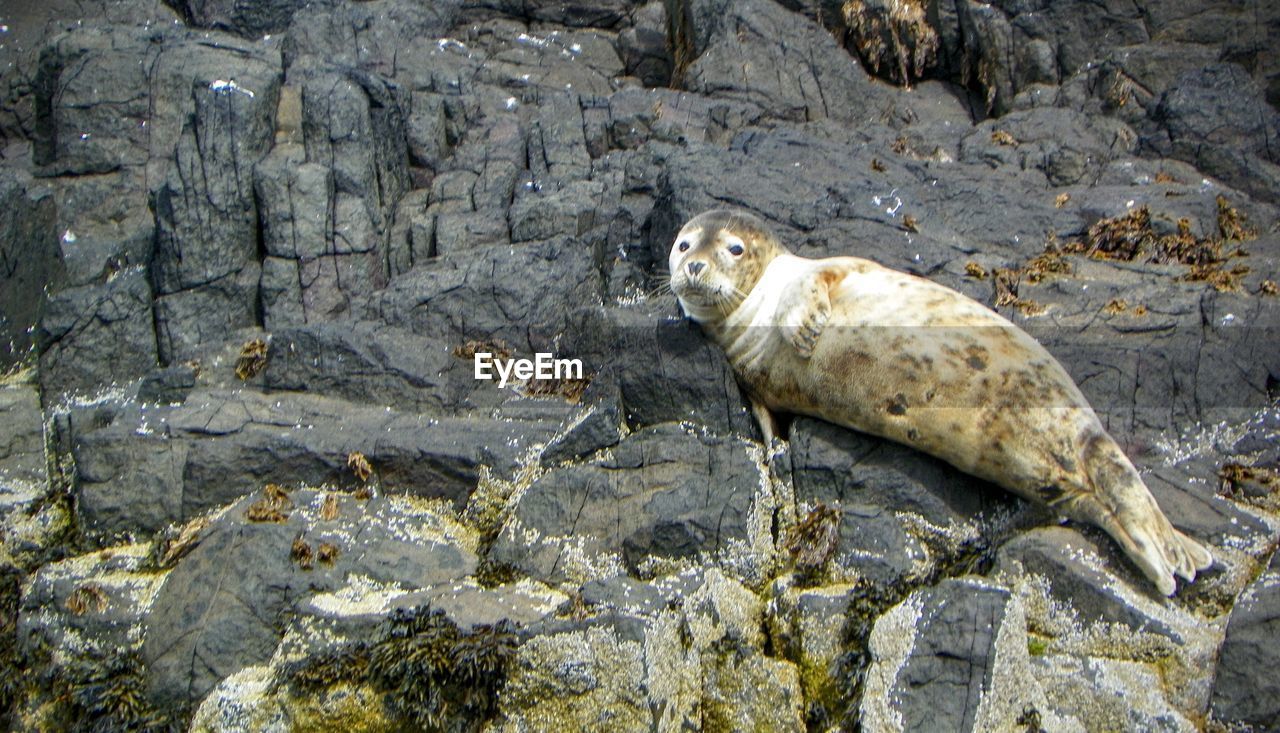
{"x":1123,"y":506}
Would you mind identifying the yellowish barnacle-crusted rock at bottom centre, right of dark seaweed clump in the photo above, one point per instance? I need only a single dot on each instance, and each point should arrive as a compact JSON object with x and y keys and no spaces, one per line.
{"x":637,"y":670}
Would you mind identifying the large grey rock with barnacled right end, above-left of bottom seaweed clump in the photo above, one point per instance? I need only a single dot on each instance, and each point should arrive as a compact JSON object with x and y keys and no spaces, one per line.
{"x":228,"y":621}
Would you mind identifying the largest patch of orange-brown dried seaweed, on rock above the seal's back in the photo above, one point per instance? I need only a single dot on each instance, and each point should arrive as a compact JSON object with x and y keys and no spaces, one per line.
{"x":1131,"y":237}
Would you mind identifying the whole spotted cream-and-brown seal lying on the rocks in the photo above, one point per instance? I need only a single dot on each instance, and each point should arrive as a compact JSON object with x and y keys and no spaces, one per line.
{"x":880,"y":351}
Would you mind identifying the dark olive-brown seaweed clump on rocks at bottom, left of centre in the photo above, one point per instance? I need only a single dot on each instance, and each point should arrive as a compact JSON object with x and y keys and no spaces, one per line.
{"x":435,"y":675}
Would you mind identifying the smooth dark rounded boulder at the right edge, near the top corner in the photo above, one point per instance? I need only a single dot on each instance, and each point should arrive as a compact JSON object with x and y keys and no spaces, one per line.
{"x":1218,"y":120}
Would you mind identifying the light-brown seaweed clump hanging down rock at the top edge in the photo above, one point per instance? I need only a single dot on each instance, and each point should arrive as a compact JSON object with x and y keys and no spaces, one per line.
{"x":893,"y":34}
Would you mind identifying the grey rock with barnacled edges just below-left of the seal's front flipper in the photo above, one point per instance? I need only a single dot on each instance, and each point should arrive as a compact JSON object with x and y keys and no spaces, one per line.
{"x":619,"y":510}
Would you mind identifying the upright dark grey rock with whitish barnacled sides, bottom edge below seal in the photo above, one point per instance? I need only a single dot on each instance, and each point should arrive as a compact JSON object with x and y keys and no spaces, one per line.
{"x":953,"y":656}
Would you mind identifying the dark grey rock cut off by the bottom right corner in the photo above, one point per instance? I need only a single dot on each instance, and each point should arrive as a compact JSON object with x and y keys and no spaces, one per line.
{"x":1242,"y":697}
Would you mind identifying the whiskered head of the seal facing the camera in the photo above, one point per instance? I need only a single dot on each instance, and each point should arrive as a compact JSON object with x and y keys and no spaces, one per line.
{"x":717,"y":260}
